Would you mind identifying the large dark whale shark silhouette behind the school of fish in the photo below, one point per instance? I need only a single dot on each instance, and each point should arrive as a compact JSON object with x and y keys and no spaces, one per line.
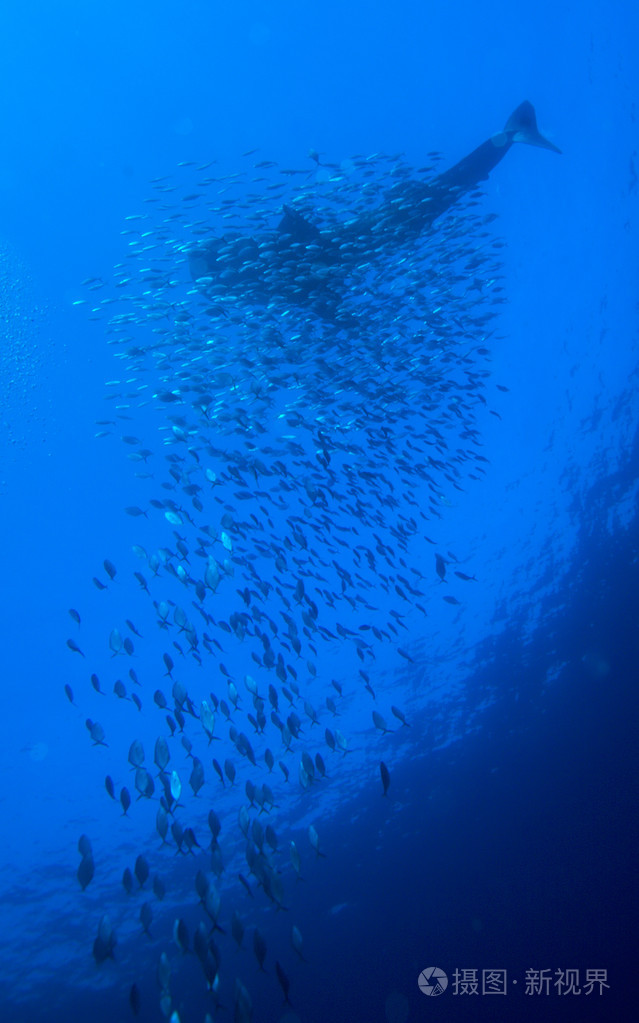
{"x":303,"y":264}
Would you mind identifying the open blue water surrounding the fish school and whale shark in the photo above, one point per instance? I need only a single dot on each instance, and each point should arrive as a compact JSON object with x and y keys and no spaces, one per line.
{"x":509,"y":837}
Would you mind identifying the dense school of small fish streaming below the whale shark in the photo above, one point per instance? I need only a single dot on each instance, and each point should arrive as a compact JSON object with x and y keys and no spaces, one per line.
{"x":300,"y":389}
